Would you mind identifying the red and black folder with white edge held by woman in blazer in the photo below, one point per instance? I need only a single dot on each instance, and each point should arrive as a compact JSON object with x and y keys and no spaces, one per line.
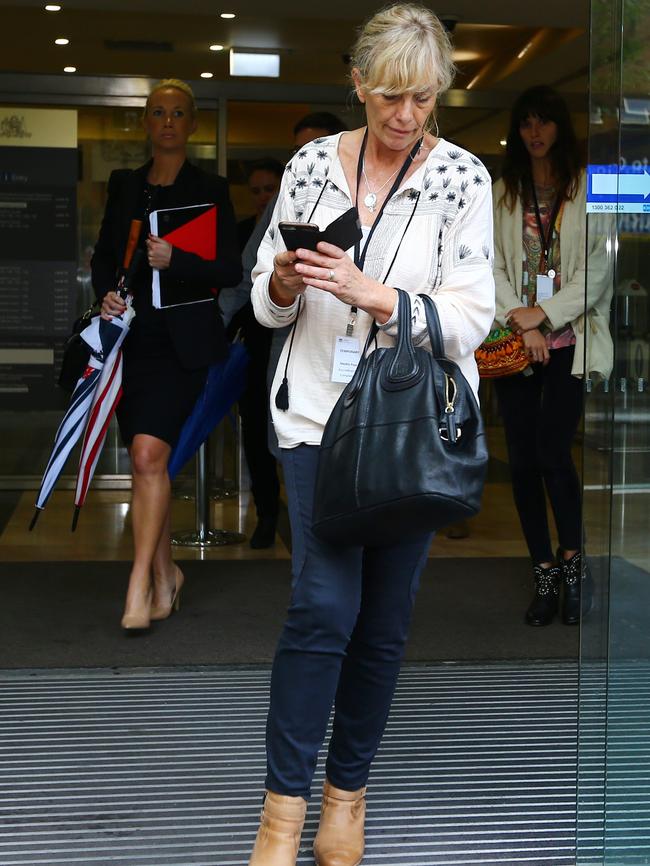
{"x":194,"y":230}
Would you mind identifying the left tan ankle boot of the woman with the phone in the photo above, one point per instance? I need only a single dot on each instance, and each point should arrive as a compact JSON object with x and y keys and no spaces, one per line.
{"x":278,"y":837}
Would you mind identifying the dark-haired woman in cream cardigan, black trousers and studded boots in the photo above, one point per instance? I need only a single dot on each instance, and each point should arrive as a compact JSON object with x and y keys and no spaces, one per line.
{"x":540,"y":241}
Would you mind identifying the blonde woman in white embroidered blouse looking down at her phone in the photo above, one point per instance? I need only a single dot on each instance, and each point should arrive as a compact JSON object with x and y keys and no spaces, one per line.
{"x":424,"y":208}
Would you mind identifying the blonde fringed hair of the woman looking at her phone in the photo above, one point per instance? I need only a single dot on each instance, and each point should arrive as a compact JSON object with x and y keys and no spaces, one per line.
{"x":403,"y":48}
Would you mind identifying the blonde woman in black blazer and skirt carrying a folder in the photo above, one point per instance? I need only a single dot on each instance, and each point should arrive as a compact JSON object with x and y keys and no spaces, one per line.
{"x":167,"y":351}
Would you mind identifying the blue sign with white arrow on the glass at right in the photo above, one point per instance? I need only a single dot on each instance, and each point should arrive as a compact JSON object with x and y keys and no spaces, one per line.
{"x":618,"y":189}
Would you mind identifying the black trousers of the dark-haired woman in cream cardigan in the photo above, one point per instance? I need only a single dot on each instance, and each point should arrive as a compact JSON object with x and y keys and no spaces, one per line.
{"x":541,"y":413}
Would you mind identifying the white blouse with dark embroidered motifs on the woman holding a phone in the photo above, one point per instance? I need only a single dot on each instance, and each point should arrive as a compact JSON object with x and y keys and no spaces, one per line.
{"x":445,"y":251}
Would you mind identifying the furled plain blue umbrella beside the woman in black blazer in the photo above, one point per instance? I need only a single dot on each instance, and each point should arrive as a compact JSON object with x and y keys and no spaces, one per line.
{"x":223,"y":387}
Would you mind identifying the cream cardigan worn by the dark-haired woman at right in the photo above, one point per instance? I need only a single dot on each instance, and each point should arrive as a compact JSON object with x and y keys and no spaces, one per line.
{"x":568,"y":304}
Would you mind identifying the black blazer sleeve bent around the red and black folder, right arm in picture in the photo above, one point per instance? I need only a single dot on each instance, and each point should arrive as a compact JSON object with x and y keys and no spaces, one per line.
{"x":225,"y":270}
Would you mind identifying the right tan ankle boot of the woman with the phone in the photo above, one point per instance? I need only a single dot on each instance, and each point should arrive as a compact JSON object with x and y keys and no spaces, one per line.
{"x":340,"y":838}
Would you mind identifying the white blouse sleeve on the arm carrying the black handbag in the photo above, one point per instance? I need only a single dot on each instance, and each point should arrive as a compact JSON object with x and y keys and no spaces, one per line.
{"x":464,"y":296}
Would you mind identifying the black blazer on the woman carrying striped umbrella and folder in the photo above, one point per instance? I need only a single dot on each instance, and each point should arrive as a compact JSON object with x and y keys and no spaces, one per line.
{"x":196,"y":330}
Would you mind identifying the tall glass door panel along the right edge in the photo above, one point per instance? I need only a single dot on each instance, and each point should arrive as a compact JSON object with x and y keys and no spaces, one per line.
{"x":614,"y":748}
